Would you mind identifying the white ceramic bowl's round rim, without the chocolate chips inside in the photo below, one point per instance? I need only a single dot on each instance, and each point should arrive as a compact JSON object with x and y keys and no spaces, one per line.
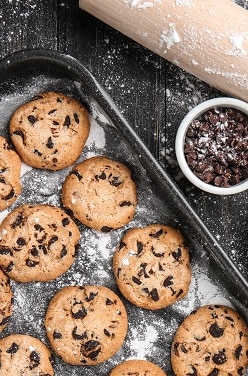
{"x":224,"y":102}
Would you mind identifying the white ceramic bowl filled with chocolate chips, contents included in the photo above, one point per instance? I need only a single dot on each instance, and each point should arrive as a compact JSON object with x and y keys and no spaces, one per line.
{"x":212,"y":146}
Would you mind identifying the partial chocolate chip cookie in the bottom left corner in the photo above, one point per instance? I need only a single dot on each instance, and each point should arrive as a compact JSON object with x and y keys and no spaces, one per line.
{"x":24,"y":355}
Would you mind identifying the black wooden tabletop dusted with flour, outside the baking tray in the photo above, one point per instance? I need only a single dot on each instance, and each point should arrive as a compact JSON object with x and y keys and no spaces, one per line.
{"x":151,"y":93}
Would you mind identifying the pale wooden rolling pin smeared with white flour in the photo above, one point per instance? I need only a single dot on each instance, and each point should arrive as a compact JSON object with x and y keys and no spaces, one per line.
{"x":208,"y":39}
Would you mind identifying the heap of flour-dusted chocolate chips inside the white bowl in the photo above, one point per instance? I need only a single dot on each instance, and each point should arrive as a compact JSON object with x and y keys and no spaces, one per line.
{"x":216,"y":147}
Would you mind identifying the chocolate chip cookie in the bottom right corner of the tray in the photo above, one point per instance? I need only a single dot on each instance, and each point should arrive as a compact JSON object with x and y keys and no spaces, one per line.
{"x":211,"y":341}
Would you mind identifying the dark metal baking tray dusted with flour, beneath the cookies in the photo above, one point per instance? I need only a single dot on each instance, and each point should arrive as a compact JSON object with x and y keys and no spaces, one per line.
{"x":215,"y":279}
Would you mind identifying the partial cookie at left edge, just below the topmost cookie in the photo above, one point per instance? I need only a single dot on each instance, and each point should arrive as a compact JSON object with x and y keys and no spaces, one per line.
{"x":10,"y":170}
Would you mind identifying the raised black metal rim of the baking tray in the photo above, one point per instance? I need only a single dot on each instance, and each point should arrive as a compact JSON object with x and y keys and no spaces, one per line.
{"x":77,"y":69}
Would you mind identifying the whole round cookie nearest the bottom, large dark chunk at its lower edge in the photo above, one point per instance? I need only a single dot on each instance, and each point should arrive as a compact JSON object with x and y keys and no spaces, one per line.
{"x":86,"y":325}
